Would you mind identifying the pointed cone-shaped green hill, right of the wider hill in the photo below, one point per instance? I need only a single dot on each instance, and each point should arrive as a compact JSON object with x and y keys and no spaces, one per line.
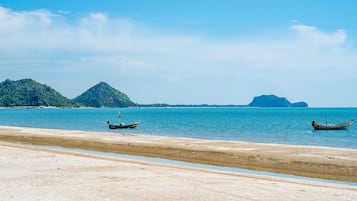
{"x":103,"y":95}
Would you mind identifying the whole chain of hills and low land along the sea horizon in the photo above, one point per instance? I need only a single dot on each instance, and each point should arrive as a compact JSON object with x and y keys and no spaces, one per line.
{"x":29,"y":93}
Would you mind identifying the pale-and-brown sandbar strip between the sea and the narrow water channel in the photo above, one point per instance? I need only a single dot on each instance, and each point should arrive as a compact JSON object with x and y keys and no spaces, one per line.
{"x":309,"y":161}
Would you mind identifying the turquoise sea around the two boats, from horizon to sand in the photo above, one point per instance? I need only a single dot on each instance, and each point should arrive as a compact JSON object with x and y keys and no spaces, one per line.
{"x":267,"y":125}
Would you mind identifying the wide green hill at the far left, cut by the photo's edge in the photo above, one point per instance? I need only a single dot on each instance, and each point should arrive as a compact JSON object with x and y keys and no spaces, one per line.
{"x":27,"y":92}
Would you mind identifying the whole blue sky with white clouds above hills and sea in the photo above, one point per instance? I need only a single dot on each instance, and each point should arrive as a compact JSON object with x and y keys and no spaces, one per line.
{"x":186,"y":51}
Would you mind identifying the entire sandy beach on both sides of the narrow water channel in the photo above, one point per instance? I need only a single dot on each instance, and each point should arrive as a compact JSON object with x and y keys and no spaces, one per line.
{"x":31,"y":172}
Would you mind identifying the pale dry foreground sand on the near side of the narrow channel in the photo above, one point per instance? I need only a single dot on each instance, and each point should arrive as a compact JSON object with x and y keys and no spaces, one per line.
{"x":29,"y":173}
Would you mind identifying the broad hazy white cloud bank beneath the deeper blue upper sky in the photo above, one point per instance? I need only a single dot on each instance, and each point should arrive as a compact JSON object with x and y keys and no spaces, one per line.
{"x":155,"y":64}
